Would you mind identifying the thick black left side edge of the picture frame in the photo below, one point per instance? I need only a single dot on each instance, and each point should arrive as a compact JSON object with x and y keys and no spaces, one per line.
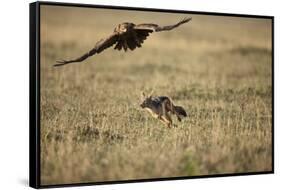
{"x":34,"y":95}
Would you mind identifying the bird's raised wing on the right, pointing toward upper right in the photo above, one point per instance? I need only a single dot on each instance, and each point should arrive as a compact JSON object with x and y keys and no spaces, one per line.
{"x":156,"y":28}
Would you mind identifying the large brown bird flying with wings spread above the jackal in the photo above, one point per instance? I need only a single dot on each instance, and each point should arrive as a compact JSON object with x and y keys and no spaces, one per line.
{"x":125,"y":36}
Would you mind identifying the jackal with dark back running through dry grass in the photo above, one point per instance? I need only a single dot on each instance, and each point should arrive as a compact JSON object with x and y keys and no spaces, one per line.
{"x":160,"y":107}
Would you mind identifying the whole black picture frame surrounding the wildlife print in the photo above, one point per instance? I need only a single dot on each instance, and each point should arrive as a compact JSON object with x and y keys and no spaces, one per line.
{"x":34,"y":93}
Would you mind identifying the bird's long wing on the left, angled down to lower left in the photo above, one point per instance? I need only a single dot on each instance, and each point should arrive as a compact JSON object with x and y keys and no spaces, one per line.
{"x":99,"y":47}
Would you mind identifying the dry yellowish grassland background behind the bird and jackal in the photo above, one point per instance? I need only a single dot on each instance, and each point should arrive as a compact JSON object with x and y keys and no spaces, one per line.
{"x":93,"y":129}
